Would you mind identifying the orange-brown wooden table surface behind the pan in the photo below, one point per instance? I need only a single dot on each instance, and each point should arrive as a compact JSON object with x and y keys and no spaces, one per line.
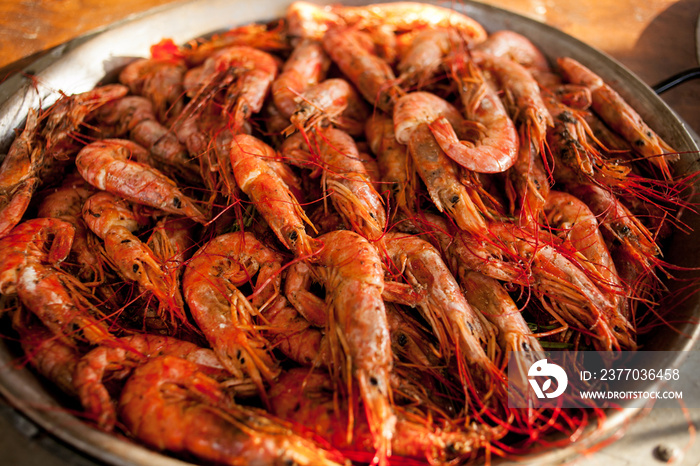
{"x":654,"y":38}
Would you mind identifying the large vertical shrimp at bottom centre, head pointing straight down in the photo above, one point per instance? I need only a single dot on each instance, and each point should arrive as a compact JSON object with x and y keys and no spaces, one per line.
{"x":350,"y":269}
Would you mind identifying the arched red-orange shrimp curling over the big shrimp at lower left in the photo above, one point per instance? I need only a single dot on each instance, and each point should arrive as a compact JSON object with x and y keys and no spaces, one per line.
{"x":117,"y":360}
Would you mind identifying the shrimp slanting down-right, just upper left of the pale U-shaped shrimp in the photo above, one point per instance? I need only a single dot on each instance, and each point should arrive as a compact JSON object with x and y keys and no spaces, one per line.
{"x":372,"y":76}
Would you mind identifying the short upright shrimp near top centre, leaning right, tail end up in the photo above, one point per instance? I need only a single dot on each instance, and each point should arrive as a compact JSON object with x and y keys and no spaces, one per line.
{"x":306,"y":66}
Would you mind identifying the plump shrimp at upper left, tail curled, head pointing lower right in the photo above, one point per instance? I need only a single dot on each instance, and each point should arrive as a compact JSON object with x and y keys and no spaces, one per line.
{"x":108,"y":165}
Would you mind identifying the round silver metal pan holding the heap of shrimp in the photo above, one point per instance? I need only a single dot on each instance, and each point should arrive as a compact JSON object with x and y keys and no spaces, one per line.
{"x":82,"y":64}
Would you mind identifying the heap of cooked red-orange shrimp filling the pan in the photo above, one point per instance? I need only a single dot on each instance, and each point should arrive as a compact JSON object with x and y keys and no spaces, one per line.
{"x":319,"y":240}
